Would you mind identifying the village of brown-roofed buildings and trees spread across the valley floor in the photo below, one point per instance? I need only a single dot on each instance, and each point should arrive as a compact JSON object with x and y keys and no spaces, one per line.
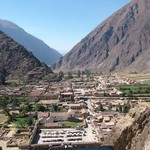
{"x":74,"y":112}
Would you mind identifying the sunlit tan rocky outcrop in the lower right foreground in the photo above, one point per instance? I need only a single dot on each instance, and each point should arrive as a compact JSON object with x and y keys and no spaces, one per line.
{"x":132,"y":131}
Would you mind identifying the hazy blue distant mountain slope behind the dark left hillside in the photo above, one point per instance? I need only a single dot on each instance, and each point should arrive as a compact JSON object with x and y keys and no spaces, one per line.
{"x":40,"y":50}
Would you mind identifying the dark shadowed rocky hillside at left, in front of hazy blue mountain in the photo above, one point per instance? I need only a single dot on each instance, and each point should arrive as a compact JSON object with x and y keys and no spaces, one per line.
{"x":18,"y":62}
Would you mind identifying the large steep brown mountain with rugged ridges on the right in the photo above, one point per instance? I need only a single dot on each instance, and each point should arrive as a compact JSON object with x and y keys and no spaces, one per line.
{"x":121,"y":43}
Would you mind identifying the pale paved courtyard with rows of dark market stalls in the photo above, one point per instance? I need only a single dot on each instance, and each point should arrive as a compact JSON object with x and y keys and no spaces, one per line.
{"x":65,"y":135}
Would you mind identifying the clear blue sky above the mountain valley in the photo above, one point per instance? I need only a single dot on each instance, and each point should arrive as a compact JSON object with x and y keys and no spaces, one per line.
{"x":59,"y":23}
